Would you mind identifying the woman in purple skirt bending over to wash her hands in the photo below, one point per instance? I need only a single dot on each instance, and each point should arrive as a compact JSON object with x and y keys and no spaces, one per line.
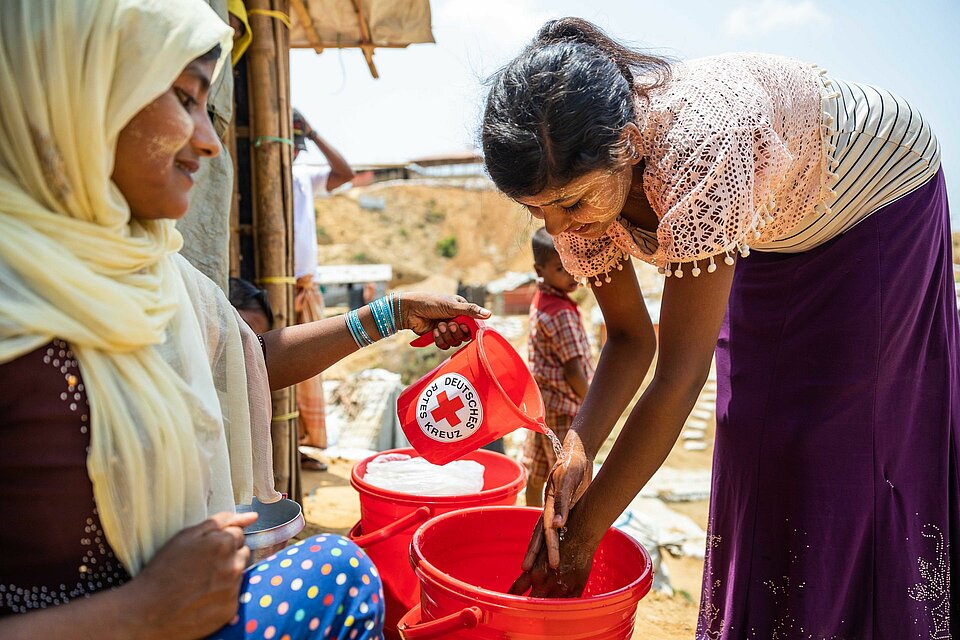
{"x":802,"y":224}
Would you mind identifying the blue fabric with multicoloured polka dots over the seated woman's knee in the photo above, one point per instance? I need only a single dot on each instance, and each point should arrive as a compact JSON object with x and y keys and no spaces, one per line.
{"x":323,"y":587}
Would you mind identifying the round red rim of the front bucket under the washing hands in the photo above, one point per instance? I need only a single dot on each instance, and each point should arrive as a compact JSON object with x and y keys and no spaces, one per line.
{"x":636,"y":590}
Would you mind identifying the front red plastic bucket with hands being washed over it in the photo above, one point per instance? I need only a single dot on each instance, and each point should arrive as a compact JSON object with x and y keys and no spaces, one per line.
{"x":466,"y":562}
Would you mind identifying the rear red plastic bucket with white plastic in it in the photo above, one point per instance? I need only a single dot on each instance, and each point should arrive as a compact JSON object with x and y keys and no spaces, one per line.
{"x":388,"y":520}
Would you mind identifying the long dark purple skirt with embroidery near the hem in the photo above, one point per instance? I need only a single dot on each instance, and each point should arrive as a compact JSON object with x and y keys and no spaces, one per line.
{"x":835,"y":511}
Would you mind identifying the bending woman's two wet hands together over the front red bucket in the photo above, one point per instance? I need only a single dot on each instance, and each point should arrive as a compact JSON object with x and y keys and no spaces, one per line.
{"x":560,"y":554}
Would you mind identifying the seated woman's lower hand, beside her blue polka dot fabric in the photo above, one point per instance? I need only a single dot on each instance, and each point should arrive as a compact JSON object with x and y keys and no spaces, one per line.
{"x":191,"y":587}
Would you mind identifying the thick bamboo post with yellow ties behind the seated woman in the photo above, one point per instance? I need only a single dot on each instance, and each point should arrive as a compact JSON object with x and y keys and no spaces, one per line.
{"x":270,"y":116}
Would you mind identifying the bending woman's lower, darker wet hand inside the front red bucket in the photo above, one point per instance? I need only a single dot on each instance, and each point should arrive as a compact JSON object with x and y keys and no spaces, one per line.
{"x":569,"y":577}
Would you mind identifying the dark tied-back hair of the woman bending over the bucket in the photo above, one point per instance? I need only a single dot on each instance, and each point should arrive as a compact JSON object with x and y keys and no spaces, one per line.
{"x":558,"y":110}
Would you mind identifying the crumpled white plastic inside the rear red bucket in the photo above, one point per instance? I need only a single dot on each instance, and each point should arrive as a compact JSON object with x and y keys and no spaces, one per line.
{"x":416,"y":476}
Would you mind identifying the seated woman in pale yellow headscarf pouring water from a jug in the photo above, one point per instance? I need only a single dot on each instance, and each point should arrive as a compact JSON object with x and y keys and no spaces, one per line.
{"x":134,"y":409}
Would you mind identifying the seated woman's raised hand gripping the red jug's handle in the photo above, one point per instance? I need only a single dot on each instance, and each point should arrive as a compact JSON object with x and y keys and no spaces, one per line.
{"x":430,"y":312}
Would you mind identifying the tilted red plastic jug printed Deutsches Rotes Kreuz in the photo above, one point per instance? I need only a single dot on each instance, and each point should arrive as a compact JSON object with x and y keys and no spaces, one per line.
{"x":481,"y":393}
